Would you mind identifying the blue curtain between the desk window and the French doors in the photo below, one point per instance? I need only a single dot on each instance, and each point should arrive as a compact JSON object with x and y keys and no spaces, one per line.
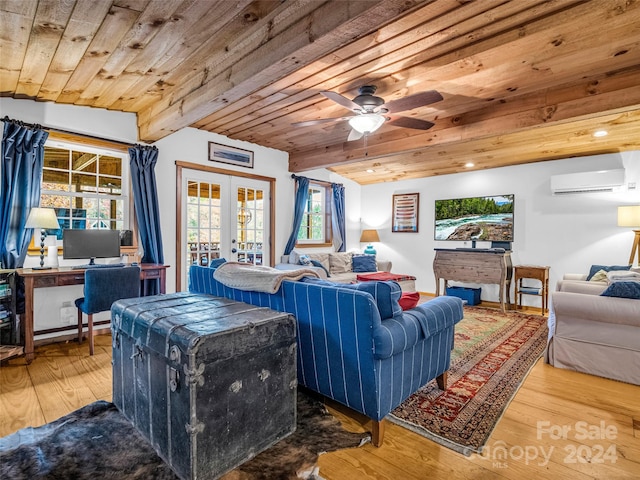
{"x":145,"y":195}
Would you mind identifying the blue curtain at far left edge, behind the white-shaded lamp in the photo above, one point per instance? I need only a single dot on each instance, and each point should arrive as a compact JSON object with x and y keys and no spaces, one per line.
{"x":21,"y":167}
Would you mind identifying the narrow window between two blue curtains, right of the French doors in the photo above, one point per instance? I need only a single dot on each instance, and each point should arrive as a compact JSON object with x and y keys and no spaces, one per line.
{"x":315,"y":228}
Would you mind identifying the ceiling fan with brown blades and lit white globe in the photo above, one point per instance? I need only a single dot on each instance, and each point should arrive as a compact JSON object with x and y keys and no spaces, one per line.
{"x":371,"y":111}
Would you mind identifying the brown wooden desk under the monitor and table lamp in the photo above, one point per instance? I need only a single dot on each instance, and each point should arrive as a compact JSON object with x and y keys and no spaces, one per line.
{"x":58,"y":277}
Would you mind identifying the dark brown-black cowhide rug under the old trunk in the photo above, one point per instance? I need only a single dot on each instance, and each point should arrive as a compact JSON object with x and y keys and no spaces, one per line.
{"x":97,"y":442}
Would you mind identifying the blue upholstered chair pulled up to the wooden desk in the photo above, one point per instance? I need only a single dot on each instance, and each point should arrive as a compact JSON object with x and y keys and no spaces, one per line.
{"x":102,"y":287}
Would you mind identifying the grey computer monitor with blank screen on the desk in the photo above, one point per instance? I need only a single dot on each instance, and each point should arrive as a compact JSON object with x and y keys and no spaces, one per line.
{"x":90,"y":244}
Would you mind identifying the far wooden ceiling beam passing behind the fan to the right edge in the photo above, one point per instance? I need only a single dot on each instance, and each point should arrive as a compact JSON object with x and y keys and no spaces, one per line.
{"x":606,"y":95}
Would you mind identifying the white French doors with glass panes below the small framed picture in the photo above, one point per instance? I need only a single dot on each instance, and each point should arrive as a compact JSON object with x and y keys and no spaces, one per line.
{"x":223,"y":216}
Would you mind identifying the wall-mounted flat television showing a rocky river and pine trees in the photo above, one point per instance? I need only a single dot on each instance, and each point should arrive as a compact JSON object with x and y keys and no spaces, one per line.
{"x":475,"y":218}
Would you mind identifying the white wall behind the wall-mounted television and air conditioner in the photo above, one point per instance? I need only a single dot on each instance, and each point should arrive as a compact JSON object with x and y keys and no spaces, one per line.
{"x":567,"y":233}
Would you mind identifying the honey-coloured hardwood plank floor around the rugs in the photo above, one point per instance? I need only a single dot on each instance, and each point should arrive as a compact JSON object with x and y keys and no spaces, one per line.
{"x":600,"y":418}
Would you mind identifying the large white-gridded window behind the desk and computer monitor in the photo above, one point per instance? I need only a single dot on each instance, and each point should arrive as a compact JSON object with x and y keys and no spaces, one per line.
{"x":88,"y":187}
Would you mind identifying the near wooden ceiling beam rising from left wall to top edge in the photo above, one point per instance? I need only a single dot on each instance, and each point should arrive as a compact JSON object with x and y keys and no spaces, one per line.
{"x":302,"y":41}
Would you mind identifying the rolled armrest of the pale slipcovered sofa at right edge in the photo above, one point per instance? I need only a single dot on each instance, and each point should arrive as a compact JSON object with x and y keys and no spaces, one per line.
{"x":570,"y":306}
